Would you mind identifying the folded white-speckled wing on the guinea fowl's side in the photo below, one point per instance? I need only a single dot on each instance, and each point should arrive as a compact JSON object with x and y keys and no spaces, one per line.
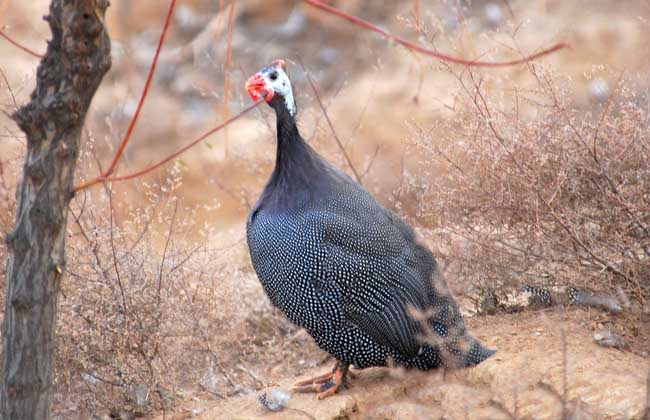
{"x":382,"y":273}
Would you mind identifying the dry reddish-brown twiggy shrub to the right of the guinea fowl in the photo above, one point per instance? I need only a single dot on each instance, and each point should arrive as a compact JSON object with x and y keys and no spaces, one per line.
{"x":526,"y":187}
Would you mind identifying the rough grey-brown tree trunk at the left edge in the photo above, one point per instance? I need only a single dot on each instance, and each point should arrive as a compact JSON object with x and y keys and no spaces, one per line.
{"x":77,"y":58}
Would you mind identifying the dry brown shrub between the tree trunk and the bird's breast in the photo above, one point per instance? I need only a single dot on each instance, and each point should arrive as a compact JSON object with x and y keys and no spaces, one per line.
{"x":147,"y":316}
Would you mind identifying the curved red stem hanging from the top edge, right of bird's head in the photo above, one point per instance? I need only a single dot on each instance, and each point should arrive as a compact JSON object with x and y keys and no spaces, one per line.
{"x":414,"y":47}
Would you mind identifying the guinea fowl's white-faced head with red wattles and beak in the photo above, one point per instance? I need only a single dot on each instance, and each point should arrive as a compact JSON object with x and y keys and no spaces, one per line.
{"x":272,"y":83}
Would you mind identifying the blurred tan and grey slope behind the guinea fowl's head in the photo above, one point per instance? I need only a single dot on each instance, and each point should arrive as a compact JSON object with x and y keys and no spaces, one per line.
{"x":373,"y":90}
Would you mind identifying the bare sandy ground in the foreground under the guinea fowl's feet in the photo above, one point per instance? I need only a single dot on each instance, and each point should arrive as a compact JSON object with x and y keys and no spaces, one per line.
{"x":523,"y":380}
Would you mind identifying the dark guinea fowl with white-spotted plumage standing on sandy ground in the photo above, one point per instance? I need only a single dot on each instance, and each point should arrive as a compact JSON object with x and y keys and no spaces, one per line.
{"x":339,"y":264}
